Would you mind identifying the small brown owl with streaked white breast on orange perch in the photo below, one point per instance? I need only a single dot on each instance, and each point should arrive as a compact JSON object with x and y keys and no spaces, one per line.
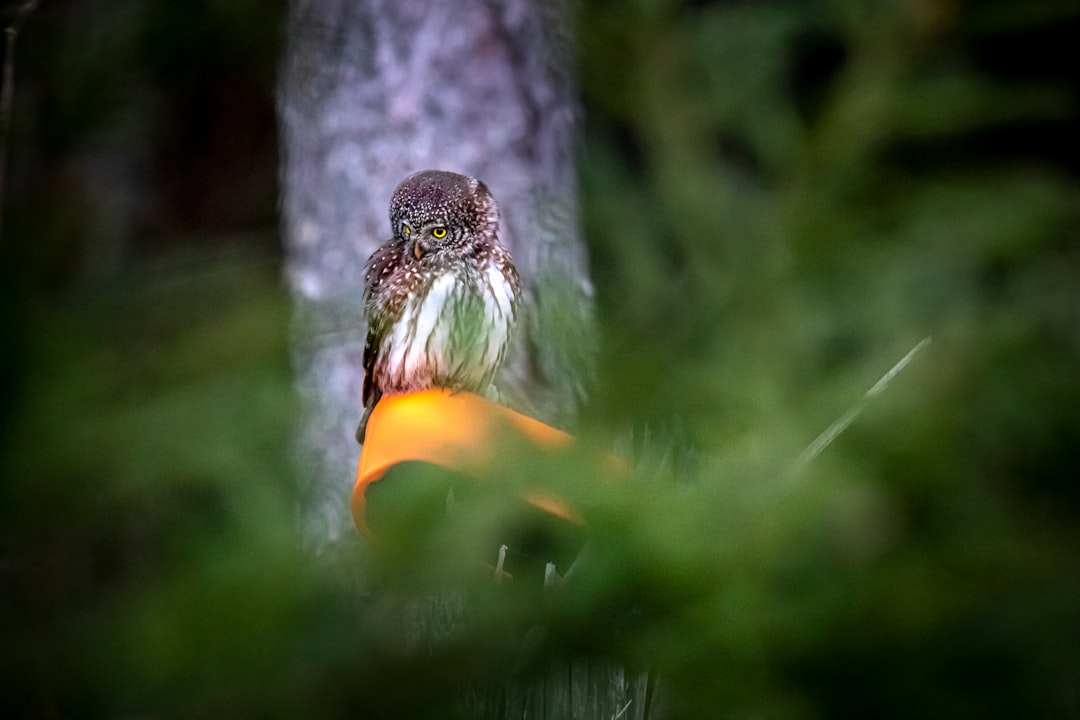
{"x":441,"y":297}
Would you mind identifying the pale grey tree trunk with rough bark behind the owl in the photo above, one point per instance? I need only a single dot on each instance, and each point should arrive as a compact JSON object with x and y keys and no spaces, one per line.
{"x":374,"y":90}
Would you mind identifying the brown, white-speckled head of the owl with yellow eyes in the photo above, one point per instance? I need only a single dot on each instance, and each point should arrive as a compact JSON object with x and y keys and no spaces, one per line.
{"x":437,"y":211}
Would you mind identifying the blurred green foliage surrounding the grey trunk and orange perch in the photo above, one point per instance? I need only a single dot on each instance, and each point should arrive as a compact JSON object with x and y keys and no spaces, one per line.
{"x":781,"y":199}
